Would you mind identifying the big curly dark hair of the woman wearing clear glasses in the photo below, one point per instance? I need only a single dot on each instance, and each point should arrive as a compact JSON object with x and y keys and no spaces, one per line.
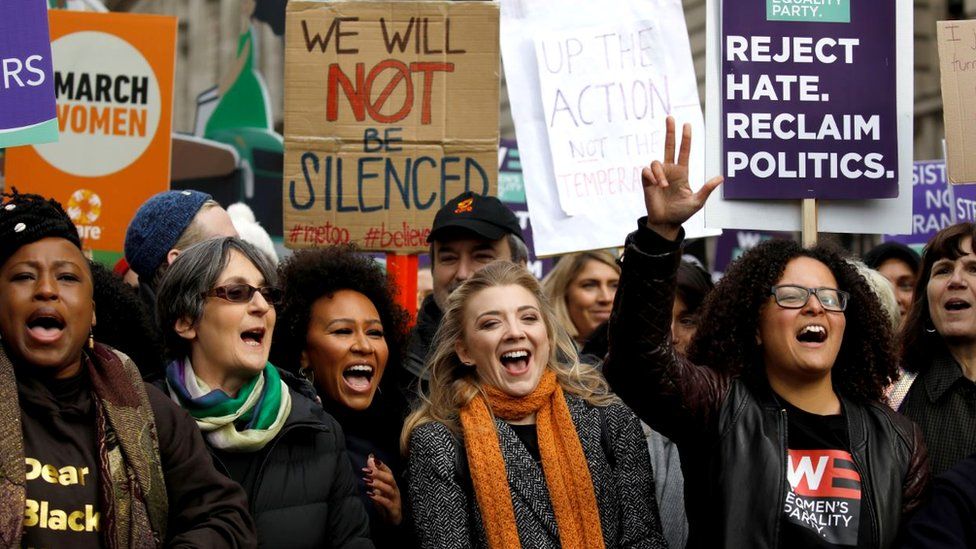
{"x":726,"y":338}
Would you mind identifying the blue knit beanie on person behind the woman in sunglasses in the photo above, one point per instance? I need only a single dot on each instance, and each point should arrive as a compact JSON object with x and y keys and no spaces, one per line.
{"x":156,"y":228}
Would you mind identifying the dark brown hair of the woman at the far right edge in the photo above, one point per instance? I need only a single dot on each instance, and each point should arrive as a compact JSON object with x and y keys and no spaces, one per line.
{"x":918,"y":345}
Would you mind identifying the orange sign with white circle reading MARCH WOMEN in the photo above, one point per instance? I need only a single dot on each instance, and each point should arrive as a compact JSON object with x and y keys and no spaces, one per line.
{"x":113,"y":76}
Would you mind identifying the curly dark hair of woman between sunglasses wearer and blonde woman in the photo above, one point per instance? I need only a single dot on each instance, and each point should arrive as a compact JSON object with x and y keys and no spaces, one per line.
{"x":309,"y":275}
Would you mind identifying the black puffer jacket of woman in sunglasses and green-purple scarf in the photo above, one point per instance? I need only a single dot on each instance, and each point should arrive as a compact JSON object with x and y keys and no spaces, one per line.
{"x":300,"y":486}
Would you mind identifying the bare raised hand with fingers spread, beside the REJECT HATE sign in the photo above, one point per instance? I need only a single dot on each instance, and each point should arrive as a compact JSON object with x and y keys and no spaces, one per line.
{"x":667,"y":194}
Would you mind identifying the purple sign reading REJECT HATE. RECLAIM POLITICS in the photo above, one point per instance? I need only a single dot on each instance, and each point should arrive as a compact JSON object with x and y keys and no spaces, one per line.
{"x":808,"y":100}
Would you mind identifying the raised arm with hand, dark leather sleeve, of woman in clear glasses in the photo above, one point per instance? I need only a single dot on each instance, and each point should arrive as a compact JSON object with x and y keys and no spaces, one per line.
{"x":675,"y":397}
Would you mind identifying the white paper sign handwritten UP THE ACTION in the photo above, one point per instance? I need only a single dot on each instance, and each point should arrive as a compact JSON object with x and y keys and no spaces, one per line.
{"x":590,"y":85}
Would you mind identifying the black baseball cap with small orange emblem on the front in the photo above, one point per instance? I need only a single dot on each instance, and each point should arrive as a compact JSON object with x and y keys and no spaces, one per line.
{"x":485,"y":216}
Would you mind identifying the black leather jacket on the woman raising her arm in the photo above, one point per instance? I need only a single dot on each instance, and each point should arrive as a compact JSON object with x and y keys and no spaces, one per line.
{"x":731,"y":433}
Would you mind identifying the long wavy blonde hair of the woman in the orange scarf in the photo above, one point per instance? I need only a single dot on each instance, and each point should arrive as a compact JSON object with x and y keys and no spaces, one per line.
{"x":453,"y":385}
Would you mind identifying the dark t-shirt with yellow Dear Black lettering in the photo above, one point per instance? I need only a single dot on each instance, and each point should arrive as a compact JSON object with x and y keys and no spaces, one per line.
{"x":58,"y":421}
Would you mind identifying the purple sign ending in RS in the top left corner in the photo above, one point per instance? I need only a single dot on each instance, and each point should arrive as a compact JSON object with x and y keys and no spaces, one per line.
{"x":27,"y":105}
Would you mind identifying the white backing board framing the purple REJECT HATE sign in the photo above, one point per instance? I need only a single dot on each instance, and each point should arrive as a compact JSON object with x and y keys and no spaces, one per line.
{"x":892,"y":216}
